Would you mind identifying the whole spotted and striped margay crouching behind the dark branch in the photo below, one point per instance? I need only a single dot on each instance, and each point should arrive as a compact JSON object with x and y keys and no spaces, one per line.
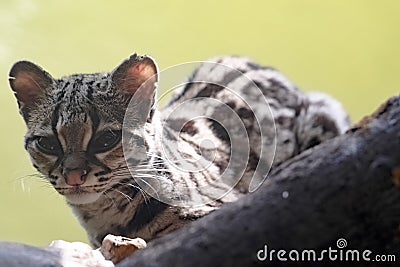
{"x":75,"y":127}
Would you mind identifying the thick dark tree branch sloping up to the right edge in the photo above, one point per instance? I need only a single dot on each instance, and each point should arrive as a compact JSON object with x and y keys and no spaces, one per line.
{"x":346,"y":188}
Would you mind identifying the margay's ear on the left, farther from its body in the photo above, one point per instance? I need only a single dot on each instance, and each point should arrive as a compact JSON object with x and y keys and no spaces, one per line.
{"x":29,"y":82}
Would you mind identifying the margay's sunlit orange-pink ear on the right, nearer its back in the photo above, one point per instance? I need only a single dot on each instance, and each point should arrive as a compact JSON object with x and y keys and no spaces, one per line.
{"x":135,"y":72}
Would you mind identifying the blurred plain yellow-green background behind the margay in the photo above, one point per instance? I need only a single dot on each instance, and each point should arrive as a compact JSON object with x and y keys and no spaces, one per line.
{"x":349,"y":49}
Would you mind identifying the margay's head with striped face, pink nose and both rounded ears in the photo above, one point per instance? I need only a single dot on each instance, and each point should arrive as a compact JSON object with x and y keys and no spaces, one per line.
{"x":74,"y":124}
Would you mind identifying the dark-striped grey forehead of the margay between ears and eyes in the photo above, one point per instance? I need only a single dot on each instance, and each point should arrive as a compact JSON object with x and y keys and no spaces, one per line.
{"x":81,"y":98}
